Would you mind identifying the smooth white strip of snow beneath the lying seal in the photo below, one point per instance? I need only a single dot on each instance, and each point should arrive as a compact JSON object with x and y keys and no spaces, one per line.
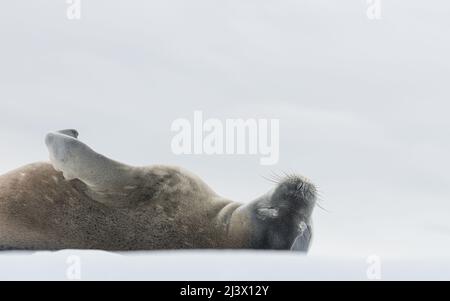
{"x":212,"y":265}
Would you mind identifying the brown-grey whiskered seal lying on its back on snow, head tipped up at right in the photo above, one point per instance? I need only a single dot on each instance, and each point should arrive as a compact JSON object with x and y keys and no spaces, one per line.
{"x":84,"y":200}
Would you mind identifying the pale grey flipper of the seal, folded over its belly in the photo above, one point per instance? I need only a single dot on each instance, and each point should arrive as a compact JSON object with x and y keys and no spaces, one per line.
{"x":76,"y":160}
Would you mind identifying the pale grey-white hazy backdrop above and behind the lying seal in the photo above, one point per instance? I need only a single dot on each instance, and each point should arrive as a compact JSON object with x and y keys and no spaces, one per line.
{"x":363,"y":104}
